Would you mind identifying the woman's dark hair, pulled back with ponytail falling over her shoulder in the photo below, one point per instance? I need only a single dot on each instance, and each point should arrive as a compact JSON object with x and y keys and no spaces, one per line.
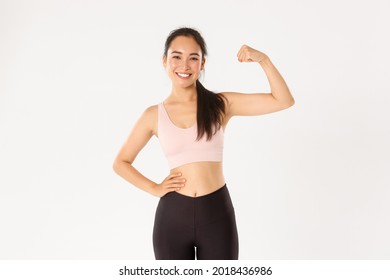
{"x":210,"y":106}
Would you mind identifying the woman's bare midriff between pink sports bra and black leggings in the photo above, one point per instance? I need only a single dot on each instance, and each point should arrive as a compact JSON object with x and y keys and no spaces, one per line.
{"x":201,"y":178}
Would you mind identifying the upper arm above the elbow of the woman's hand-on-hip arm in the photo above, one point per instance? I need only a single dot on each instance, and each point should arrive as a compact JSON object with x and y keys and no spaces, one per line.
{"x":138,"y":138}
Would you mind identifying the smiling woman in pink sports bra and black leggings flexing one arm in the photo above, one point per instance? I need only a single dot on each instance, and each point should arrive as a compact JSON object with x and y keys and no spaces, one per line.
{"x":195,"y":216}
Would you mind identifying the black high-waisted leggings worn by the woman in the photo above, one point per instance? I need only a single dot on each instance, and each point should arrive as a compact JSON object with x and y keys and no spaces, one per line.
{"x":205,"y":222}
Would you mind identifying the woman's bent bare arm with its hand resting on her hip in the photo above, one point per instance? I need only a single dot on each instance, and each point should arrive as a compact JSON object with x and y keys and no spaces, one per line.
{"x":141,"y":133}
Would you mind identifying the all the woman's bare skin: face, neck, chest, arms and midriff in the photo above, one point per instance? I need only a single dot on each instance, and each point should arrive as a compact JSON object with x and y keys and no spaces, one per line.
{"x":198,"y":178}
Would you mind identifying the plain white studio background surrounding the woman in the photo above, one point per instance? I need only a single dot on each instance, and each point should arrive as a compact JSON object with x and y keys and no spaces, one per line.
{"x":310,"y":182}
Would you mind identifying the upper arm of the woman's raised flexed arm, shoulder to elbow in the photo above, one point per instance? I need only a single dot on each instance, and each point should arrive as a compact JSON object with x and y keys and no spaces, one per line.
{"x":242,"y":104}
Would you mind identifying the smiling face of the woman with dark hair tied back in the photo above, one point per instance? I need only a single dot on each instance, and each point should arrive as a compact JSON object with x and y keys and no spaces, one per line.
{"x":184,"y":61}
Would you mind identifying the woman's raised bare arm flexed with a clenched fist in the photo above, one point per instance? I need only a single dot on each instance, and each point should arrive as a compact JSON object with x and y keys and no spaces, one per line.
{"x":240,"y":104}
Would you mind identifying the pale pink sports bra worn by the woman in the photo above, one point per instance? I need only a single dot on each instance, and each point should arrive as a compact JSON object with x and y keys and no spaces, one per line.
{"x":180,"y":146}
